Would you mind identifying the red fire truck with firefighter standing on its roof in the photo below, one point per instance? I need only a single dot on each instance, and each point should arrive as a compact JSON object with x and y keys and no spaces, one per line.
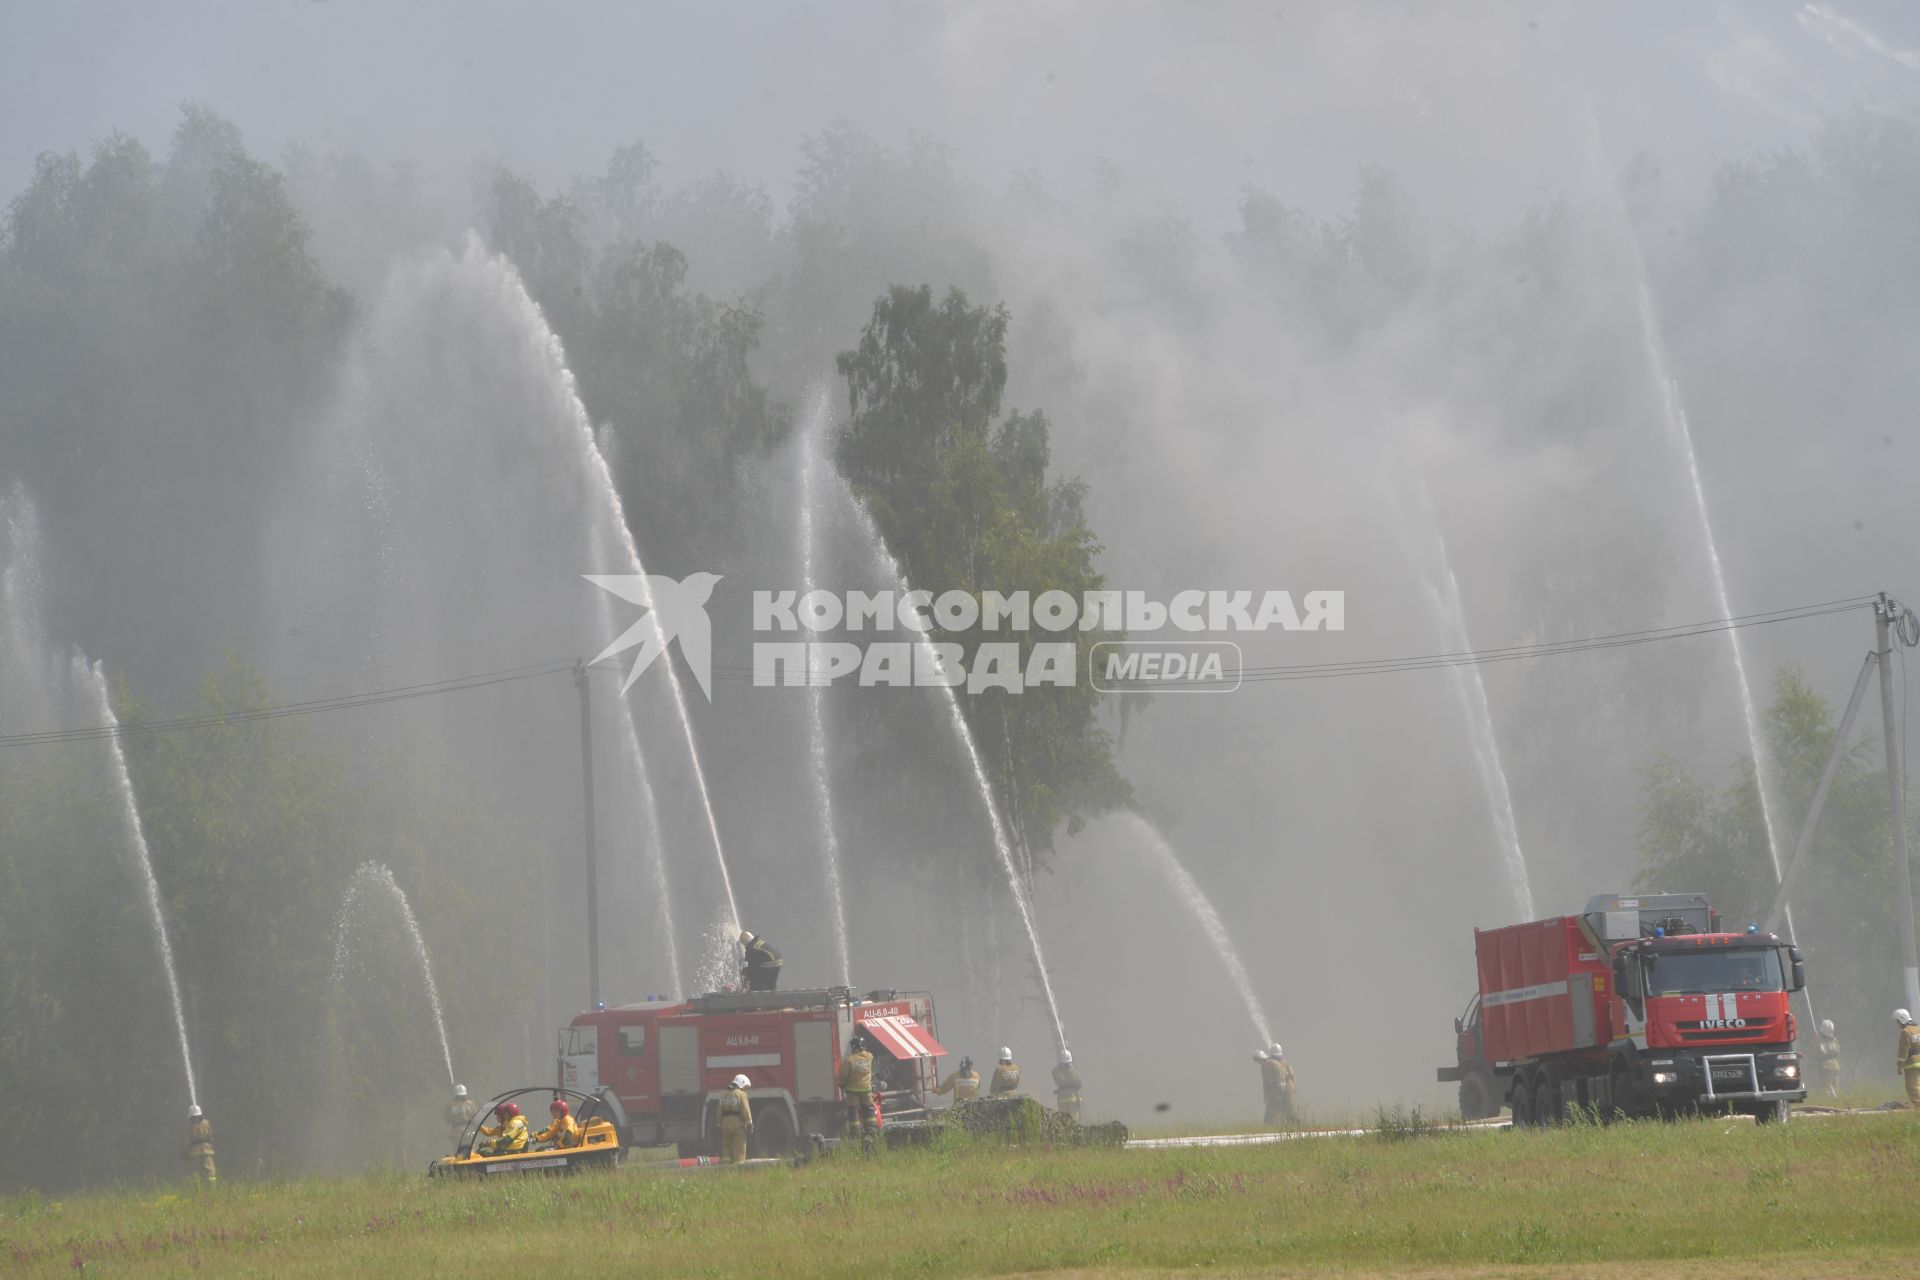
{"x":669,"y":1064}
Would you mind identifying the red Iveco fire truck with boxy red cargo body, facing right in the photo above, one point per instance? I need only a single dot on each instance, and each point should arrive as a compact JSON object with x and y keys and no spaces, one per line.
{"x":1637,"y":1007}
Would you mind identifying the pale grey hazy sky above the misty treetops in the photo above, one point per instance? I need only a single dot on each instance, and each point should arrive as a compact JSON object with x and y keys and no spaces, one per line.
{"x":1477,"y":107}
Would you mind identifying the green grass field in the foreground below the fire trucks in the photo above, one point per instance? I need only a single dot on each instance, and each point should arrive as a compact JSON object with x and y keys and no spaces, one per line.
{"x":1825,"y":1197}
